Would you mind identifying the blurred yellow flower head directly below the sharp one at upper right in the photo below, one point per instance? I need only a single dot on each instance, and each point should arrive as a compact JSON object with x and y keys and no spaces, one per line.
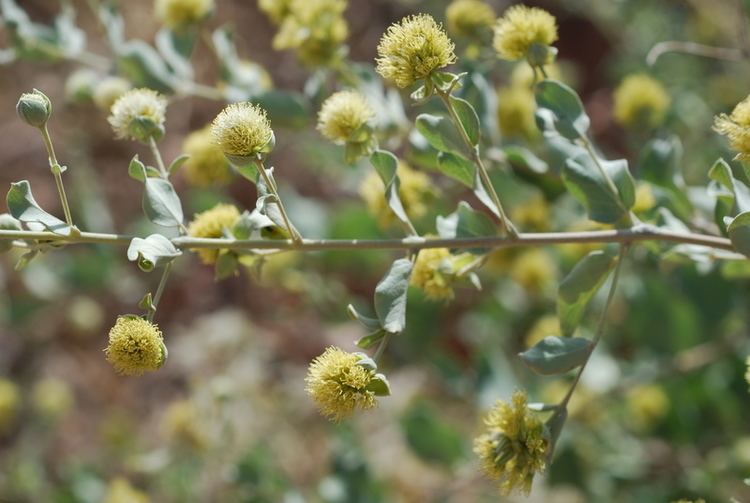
{"x":515,"y":112}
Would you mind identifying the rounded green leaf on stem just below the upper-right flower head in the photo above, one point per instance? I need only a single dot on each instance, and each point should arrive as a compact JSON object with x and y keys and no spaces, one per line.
{"x":568,"y":116}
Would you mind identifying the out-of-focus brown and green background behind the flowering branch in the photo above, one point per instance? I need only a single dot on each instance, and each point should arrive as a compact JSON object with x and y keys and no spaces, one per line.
{"x":662,"y":410}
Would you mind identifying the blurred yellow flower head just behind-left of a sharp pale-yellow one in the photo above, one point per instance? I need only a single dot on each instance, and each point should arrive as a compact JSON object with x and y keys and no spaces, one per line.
{"x":206,"y":164}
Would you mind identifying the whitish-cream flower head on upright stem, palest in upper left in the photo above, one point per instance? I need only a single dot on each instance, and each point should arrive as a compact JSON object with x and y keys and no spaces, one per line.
{"x":138,"y":114}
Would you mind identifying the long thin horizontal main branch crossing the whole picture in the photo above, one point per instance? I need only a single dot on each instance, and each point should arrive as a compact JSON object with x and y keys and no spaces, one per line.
{"x":634,"y":234}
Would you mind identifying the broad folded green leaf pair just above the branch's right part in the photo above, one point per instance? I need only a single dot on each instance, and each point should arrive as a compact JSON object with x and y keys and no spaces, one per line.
{"x":587,"y":185}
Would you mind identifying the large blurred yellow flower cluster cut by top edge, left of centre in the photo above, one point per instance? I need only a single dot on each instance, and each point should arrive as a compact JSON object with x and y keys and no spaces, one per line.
{"x":316,"y":29}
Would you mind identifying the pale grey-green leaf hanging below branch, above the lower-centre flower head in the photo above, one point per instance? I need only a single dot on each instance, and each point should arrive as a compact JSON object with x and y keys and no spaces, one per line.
{"x":390,"y":296}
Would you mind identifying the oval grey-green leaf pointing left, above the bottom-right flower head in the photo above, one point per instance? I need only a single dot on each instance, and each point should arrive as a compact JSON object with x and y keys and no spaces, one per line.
{"x":556,"y":355}
